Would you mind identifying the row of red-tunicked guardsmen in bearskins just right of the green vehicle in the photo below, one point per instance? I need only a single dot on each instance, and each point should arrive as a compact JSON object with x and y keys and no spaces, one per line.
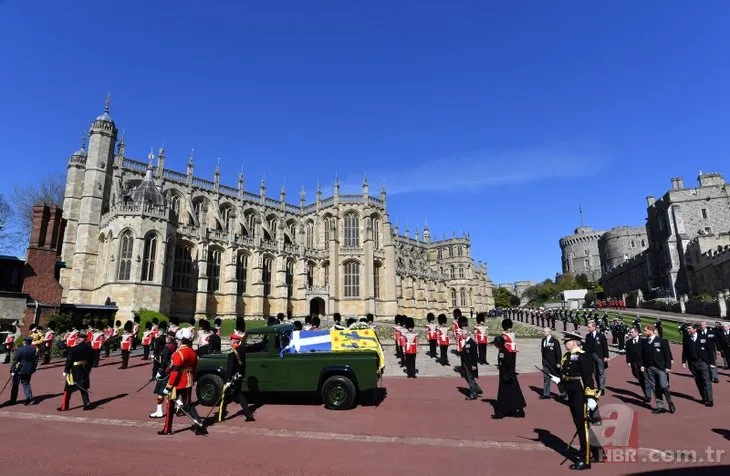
{"x":439,"y":336}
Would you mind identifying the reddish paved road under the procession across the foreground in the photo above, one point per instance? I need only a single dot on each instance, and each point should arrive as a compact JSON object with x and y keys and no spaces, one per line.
{"x":395,"y":437}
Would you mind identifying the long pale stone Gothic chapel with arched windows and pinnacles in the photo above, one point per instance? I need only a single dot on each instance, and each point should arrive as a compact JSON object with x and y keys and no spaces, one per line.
{"x":148,"y":237}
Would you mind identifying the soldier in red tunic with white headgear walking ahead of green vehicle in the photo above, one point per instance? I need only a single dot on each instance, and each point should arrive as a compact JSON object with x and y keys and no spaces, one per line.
{"x":179,"y":388}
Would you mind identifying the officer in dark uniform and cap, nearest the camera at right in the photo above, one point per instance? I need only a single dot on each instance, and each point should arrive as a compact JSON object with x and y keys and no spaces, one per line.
{"x":576,"y":375}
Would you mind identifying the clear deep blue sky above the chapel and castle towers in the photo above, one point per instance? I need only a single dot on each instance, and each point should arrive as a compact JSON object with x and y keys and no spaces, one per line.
{"x":497,"y":118}
